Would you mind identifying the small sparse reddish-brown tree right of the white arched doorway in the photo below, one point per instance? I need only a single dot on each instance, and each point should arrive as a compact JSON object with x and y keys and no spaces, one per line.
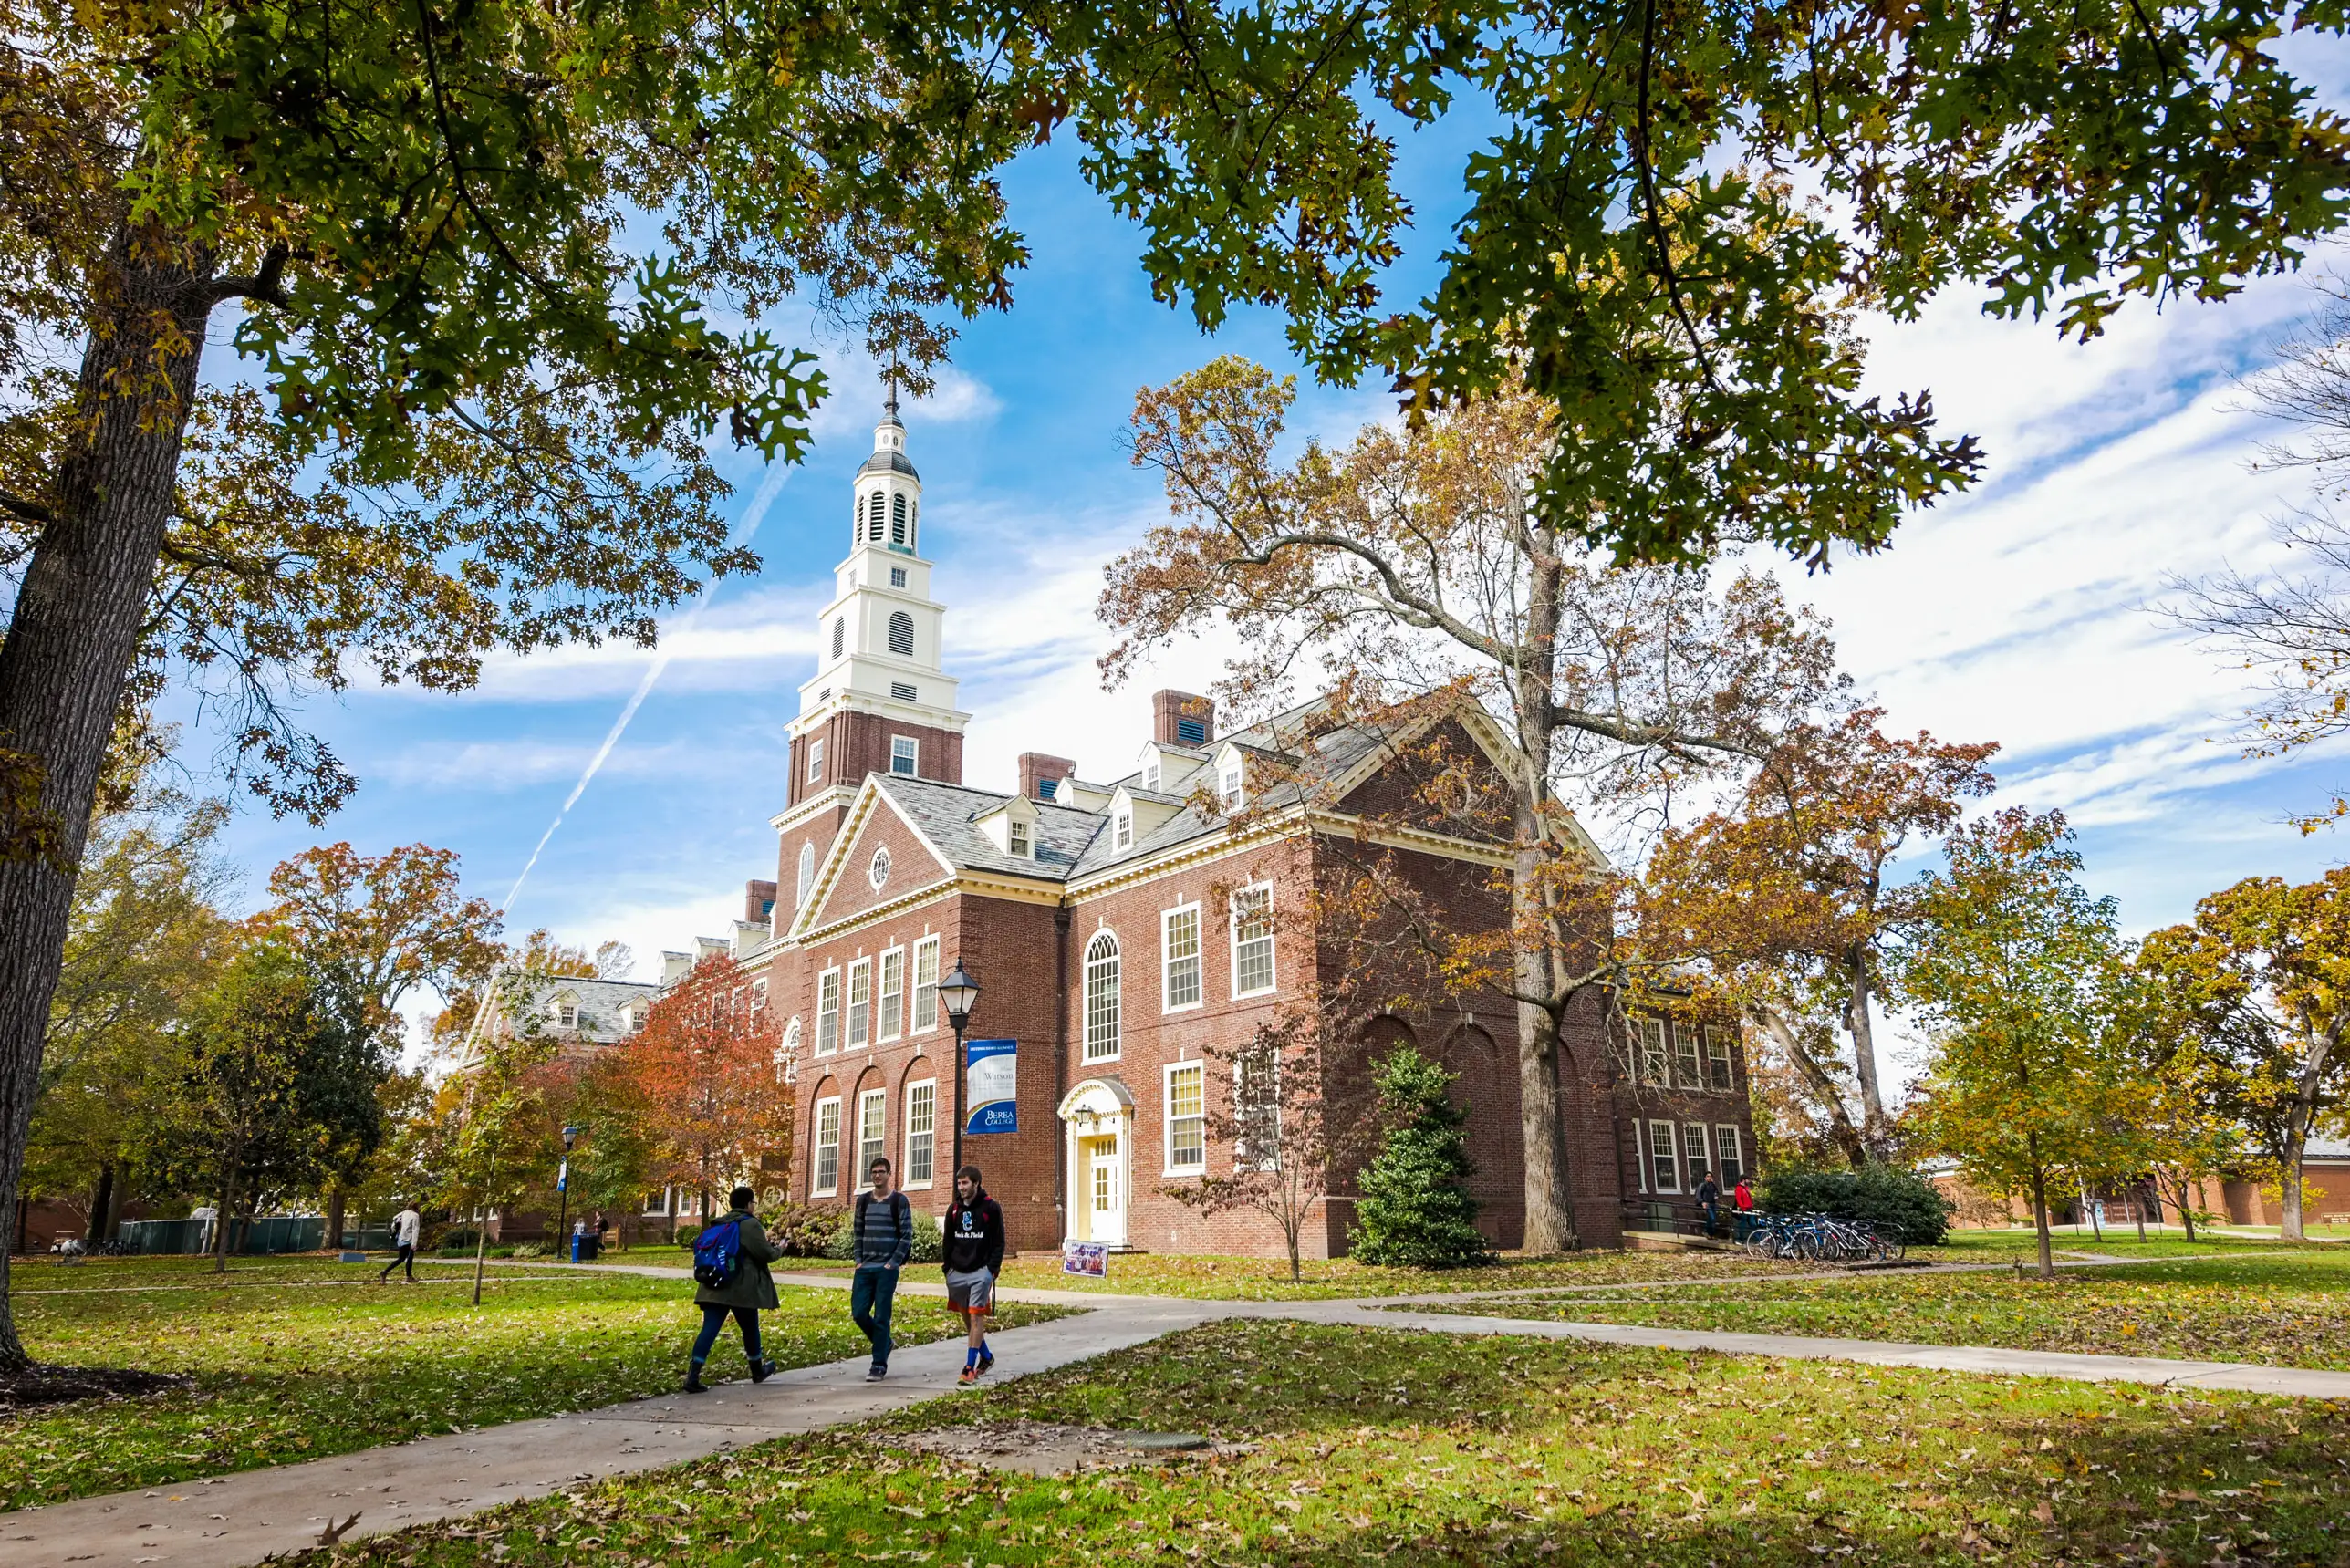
{"x":1275,"y":1120}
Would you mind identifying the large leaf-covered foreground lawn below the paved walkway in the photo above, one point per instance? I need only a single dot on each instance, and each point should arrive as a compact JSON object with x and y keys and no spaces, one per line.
{"x":1418,"y":1452}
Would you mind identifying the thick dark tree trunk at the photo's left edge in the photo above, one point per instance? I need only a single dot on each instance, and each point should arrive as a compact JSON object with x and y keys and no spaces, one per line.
{"x":76,"y":631}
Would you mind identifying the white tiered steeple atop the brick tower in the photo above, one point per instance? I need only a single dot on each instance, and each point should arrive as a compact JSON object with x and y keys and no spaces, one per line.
{"x":880,"y":636}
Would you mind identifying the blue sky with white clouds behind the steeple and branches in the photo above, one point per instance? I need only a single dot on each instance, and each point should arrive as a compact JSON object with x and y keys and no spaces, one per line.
{"x":2013,"y":615}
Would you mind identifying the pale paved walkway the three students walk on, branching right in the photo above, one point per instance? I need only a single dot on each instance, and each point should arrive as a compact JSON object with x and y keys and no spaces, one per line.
{"x":229,"y":1522}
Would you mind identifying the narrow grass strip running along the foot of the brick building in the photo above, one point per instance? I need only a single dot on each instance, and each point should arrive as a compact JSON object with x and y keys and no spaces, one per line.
{"x":1207,"y":1278}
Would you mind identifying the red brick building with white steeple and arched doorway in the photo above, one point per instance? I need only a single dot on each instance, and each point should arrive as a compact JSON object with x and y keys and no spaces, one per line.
{"x":1122,"y":932}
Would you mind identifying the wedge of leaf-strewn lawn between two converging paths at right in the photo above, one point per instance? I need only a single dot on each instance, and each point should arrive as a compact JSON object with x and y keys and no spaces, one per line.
{"x":2260,"y":1304}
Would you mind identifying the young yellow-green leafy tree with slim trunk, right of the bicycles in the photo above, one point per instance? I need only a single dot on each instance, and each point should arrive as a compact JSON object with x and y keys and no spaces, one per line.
{"x":2010,"y":967}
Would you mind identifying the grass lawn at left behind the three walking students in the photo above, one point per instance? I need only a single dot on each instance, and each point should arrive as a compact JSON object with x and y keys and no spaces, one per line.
{"x":295,"y":1367}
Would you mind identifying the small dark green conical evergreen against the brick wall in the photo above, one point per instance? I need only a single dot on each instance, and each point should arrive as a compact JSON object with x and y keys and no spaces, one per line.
{"x":1414,"y":1209}
